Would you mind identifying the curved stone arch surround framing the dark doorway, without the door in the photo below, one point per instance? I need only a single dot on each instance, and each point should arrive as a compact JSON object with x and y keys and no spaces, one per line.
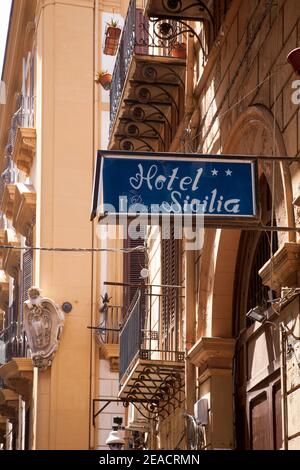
{"x":254,"y":133}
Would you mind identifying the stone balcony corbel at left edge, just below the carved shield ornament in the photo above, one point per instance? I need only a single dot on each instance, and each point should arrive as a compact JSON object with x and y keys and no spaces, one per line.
{"x":18,"y":376}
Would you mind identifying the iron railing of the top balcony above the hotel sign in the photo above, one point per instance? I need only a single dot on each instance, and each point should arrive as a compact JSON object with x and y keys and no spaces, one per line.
{"x":143,"y":37}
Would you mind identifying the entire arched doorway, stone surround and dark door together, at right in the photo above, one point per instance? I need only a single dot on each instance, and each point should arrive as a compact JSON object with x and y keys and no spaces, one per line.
{"x":223,"y":302}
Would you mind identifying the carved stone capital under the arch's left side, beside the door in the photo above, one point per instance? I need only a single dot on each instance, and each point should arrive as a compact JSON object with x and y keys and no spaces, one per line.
{"x":213,"y":355}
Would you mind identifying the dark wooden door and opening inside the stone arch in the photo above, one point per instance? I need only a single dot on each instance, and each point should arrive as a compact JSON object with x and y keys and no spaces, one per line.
{"x":257,"y":414}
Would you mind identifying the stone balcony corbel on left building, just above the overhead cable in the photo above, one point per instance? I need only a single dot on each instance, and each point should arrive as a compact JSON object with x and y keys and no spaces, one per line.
{"x":24,"y":209}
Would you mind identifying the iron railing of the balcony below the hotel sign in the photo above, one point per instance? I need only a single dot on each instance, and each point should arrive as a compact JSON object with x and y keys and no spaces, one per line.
{"x":141,"y":335}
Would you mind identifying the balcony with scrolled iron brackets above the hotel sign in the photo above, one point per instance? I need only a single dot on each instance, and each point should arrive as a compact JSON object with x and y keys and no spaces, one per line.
{"x":148,"y":83}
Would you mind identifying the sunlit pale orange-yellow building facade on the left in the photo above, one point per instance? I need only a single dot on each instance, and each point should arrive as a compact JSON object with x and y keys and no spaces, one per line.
{"x":51,"y":126}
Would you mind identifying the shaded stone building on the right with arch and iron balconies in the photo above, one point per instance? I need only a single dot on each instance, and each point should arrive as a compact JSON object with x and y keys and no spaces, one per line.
{"x":208,"y":372}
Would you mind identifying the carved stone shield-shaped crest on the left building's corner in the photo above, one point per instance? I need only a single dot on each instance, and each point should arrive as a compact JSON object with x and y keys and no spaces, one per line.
{"x":43,"y":324}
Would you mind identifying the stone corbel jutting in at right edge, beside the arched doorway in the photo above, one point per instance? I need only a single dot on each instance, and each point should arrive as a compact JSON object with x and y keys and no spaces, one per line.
{"x":283,"y":269}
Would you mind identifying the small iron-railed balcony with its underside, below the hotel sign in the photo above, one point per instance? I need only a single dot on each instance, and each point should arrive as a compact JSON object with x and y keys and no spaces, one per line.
{"x":150,"y":372}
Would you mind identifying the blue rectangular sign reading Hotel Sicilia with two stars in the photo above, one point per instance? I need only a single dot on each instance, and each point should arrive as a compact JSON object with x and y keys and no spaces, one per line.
{"x":160,"y":184}
